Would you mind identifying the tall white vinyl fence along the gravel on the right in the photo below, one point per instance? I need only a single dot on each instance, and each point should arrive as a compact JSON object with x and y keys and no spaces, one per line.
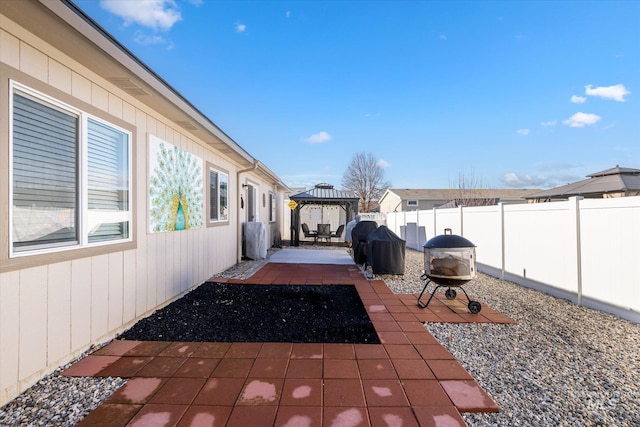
{"x":583,"y":250}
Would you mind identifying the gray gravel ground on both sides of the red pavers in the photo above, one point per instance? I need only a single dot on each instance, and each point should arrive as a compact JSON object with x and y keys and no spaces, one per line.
{"x":559,"y":365}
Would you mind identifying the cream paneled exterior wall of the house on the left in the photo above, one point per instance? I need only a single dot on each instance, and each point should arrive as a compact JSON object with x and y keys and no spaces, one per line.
{"x":54,"y":307}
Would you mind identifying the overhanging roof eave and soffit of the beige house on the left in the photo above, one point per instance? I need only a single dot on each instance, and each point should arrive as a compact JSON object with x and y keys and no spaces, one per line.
{"x":96,"y":49}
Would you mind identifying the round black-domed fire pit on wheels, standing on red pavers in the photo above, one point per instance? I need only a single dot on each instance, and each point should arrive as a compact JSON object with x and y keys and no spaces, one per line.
{"x":449,"y":261}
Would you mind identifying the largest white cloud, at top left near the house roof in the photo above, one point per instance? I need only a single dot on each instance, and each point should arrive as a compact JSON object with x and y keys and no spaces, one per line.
{"x":155,"y":14}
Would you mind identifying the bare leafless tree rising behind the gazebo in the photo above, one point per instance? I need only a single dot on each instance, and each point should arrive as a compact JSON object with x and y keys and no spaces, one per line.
{"x":365,"y":177}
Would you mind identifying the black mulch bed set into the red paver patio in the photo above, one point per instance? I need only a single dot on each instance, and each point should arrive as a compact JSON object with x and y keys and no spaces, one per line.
{"x":261,"y":313}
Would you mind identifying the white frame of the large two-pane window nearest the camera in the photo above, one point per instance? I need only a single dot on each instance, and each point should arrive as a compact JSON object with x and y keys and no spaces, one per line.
{"x":81,"y":178}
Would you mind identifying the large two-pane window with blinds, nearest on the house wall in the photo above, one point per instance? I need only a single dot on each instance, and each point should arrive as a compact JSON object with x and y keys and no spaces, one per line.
{"x":71,"y":176}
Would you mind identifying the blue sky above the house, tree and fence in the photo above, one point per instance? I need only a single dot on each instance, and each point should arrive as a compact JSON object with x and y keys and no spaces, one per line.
{"x":513,"y":94}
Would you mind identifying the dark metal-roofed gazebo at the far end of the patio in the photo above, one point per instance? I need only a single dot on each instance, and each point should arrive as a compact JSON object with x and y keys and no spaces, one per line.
{"x":321,"y":194}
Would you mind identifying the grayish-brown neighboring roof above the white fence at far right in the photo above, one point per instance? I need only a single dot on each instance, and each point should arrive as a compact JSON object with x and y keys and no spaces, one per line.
{"x":614,"y":180}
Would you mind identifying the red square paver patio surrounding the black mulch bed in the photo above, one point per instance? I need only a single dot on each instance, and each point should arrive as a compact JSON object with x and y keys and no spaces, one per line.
{"x":409,"y":379}
